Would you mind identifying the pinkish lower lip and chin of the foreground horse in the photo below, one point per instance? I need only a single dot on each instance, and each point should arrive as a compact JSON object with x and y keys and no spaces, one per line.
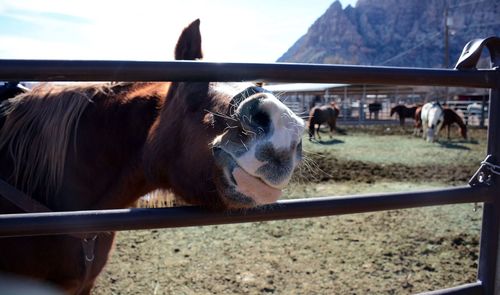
{"x":238,"y":188}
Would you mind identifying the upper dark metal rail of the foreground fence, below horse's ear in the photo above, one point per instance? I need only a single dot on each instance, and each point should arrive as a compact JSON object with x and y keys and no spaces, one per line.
{"x":79,"y":70}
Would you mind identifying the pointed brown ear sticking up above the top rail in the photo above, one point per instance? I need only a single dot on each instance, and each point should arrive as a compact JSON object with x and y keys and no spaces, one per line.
{"x":189,"y":44}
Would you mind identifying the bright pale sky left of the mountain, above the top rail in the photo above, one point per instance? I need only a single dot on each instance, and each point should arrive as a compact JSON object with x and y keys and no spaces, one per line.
{"x":244,"y":31}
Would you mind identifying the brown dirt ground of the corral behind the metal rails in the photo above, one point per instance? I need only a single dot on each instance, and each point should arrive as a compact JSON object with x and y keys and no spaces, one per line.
{"x":389,"y":252}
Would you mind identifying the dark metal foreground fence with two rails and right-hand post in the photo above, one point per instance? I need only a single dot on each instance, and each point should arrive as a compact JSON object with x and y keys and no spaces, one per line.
{"x":484,"y":185}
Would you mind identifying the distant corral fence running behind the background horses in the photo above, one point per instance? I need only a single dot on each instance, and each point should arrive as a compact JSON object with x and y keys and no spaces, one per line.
{"x":358,"y":103}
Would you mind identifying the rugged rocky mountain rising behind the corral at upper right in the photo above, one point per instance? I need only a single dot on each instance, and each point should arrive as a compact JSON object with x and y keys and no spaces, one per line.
{"x":395,"y":33}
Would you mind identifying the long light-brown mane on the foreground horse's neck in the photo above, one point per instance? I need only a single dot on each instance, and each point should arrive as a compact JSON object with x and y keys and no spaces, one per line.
{"x":37,"y":133}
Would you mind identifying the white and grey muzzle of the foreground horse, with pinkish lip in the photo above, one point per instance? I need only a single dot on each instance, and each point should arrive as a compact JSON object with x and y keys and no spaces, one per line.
{"x":265,"y":149}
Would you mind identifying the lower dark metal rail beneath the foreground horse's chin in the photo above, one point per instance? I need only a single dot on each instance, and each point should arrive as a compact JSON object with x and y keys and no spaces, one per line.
{"x":131,"y":219}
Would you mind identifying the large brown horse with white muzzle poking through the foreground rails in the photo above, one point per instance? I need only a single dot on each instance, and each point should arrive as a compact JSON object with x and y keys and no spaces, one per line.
{"x":218,"y":145}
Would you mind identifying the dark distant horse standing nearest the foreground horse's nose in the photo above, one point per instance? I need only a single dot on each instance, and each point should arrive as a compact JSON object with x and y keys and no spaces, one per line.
{"x":323,"y":114}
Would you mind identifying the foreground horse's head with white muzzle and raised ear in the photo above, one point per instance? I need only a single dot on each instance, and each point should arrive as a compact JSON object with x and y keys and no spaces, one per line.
{"x":222,"y":145}
